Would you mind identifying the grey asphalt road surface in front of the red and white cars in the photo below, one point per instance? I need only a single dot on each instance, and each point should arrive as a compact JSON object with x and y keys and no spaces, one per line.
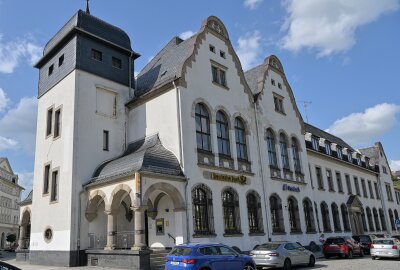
{"x":365,"y":263}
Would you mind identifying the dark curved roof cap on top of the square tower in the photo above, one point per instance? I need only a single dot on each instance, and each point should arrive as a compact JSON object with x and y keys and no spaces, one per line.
{"x":87,"y":24}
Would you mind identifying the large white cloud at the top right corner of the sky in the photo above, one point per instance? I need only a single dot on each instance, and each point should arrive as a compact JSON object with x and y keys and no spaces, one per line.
{"x":328,"y":26}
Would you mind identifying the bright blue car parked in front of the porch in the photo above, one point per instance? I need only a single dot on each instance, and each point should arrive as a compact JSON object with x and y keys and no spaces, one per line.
{"x":207,"y":257}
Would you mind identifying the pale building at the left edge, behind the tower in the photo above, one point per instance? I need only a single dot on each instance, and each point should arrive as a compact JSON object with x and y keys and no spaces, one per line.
{"x":10,"y":193}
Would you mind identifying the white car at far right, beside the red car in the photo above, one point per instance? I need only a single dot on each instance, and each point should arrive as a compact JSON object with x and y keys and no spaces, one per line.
{"x":385,"y":247}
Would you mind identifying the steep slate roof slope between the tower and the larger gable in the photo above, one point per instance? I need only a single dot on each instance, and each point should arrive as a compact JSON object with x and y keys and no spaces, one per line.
{"x":165,"y":66}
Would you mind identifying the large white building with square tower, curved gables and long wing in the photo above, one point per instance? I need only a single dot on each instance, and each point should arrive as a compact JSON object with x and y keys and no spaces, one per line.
{"x":194,"y":150}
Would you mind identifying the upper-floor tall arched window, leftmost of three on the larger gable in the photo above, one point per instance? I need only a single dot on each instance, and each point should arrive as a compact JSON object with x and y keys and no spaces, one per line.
{"x":203,"y":134}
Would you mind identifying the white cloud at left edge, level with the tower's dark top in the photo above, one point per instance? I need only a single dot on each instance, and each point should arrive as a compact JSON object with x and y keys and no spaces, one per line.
{"x":13,"y":52}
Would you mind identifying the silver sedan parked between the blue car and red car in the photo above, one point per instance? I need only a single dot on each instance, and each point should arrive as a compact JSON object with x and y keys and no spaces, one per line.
{"x":282,"y":254}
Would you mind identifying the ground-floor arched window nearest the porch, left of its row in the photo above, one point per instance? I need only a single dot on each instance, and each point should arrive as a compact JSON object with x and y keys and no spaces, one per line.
{"x":203,"y":223}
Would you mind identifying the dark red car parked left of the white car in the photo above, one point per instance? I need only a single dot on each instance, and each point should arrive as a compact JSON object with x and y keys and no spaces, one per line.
{"x":342,"y":246}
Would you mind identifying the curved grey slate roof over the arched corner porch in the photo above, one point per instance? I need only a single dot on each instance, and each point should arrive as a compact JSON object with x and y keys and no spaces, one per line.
{"x":145,"y":155}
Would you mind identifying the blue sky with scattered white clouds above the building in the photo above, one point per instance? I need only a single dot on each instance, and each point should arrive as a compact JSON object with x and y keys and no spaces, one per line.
{"x":340,"y":55}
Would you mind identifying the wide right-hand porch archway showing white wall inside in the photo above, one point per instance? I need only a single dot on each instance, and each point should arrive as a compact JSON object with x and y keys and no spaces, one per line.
{"x":165,"y":216}
